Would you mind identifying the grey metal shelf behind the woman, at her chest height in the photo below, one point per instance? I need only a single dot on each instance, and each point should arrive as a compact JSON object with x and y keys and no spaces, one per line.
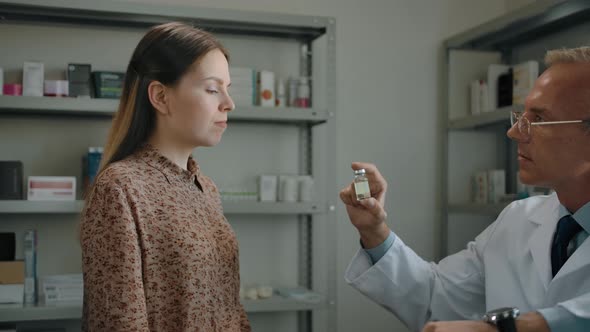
{"x":229,"y":207}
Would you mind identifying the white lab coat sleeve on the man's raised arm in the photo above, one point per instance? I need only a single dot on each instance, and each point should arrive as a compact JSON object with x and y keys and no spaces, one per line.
{"x":417,"y":291}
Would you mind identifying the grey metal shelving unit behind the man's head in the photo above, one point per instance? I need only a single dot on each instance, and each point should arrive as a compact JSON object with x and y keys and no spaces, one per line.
{"x":512,"y":38}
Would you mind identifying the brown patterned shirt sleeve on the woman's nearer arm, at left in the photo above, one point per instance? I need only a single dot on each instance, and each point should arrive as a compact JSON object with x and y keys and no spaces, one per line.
{"x":114,"y":297}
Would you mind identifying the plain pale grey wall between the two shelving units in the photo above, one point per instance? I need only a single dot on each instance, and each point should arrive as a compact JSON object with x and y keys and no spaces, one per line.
{"x":388,"y":72}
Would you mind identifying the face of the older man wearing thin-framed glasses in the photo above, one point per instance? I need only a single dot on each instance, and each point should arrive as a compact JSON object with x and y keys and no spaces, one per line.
{"x":556,"y":155}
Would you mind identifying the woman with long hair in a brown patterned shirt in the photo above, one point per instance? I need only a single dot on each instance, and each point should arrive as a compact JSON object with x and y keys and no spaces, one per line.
{"x":158,"y":254}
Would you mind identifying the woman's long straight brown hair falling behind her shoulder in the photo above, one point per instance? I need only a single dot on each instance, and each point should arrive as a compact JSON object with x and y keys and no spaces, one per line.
{"x":164,"y":54}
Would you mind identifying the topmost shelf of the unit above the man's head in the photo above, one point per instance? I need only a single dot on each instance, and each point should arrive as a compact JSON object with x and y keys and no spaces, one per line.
{"x":526,"y":24}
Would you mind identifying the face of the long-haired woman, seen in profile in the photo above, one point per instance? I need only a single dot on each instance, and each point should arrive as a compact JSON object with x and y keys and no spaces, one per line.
{"x":199,"y":103}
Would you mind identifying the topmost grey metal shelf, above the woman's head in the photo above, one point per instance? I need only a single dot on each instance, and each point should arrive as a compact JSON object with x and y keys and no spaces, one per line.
{"x":143,"y":15}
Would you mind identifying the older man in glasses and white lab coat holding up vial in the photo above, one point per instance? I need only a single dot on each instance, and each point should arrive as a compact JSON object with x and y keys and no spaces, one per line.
{"x":534,"y":257}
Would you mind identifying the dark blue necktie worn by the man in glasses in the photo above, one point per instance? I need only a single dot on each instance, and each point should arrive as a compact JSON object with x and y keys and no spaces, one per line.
{"x":567,"y":228}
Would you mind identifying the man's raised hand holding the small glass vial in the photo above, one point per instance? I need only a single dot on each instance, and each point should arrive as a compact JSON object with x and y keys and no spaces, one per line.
{"x":368,"y":215}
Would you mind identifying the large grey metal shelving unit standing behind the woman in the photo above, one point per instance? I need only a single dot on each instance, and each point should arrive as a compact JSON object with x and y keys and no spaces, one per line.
{"x":317,"y":264}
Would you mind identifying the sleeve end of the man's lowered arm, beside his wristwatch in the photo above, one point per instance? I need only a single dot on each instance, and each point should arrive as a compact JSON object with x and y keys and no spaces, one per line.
{"x":569,"y":316}
